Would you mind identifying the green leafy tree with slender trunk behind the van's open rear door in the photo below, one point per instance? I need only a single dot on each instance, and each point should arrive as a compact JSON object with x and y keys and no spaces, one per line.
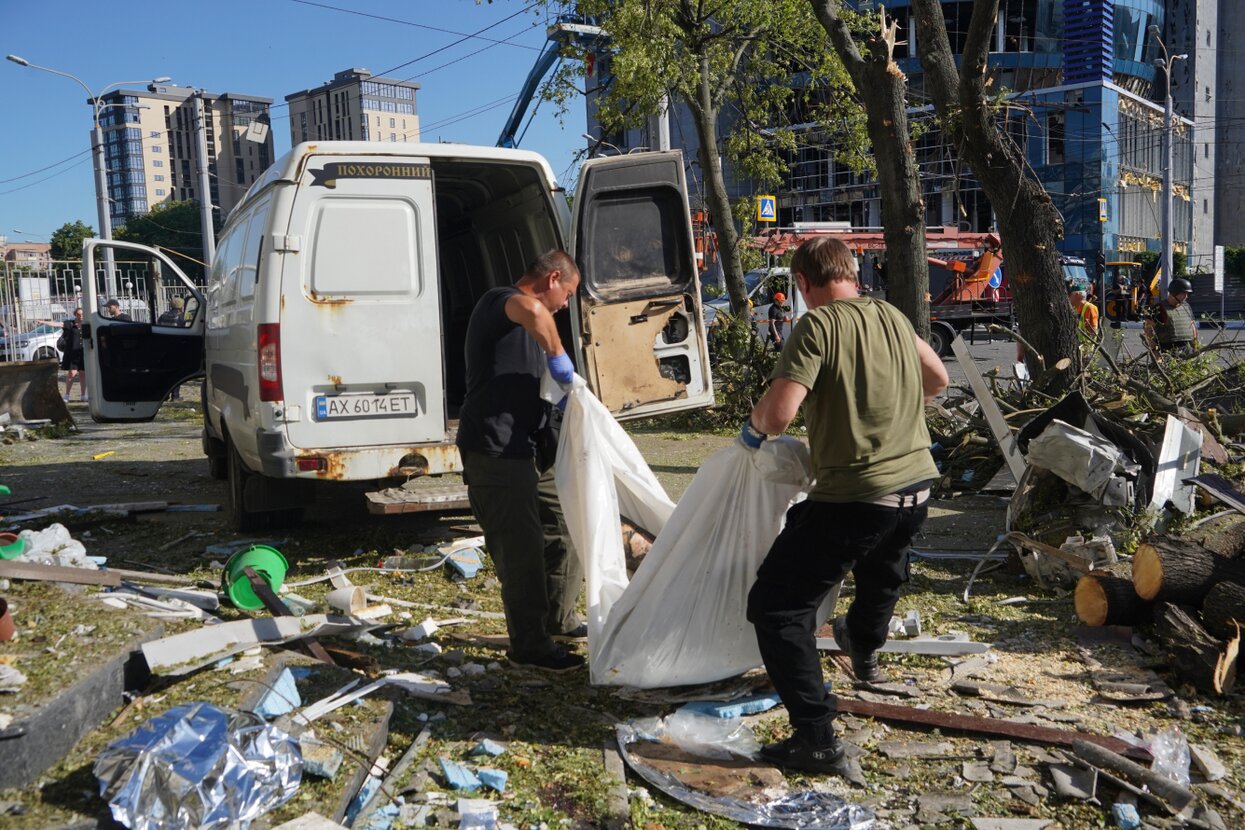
{"x":743,"y":69}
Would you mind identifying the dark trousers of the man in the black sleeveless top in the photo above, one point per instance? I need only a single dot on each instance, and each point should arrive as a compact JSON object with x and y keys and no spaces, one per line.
{"x":527,"y":539}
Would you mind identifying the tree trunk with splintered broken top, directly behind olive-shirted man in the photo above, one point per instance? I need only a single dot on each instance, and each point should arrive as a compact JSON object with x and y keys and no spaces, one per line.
{"x":883,"y":90}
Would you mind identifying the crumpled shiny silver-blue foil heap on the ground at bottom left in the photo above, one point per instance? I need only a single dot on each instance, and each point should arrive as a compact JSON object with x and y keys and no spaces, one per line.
{"x":199,"y":766}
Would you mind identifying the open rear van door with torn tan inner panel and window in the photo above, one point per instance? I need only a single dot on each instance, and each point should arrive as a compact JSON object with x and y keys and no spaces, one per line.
{"x":638,"y":312}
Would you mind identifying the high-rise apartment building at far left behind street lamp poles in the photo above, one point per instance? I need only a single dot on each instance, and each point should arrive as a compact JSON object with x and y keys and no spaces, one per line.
{"x":151,"y":147}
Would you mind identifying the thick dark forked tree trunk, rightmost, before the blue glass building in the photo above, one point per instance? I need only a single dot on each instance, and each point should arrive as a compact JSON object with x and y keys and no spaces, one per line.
{"x":1029,"y":223}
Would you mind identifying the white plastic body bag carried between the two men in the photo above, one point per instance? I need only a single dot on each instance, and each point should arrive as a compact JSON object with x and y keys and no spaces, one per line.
{"x":683,"y":618}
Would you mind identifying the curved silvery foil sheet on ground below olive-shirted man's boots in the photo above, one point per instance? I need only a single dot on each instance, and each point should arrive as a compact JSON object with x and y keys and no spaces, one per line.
{"x":799,"y":811}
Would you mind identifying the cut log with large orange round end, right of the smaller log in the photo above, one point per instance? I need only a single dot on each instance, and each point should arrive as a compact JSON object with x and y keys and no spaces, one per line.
{"x":1177,"y":571}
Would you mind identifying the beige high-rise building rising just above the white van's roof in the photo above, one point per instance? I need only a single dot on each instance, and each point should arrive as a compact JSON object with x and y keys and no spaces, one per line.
{"x":355,"y":106}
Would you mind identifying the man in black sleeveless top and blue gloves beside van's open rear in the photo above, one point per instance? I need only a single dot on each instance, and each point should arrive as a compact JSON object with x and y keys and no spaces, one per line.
{"x":507,"y":445}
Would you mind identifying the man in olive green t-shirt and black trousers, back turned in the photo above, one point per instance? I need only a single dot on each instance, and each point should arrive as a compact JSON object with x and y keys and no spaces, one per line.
{"x":863,"y":378}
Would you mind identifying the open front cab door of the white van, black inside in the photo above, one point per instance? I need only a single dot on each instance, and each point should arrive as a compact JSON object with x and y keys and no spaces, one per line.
{"x":135,"y":361}
